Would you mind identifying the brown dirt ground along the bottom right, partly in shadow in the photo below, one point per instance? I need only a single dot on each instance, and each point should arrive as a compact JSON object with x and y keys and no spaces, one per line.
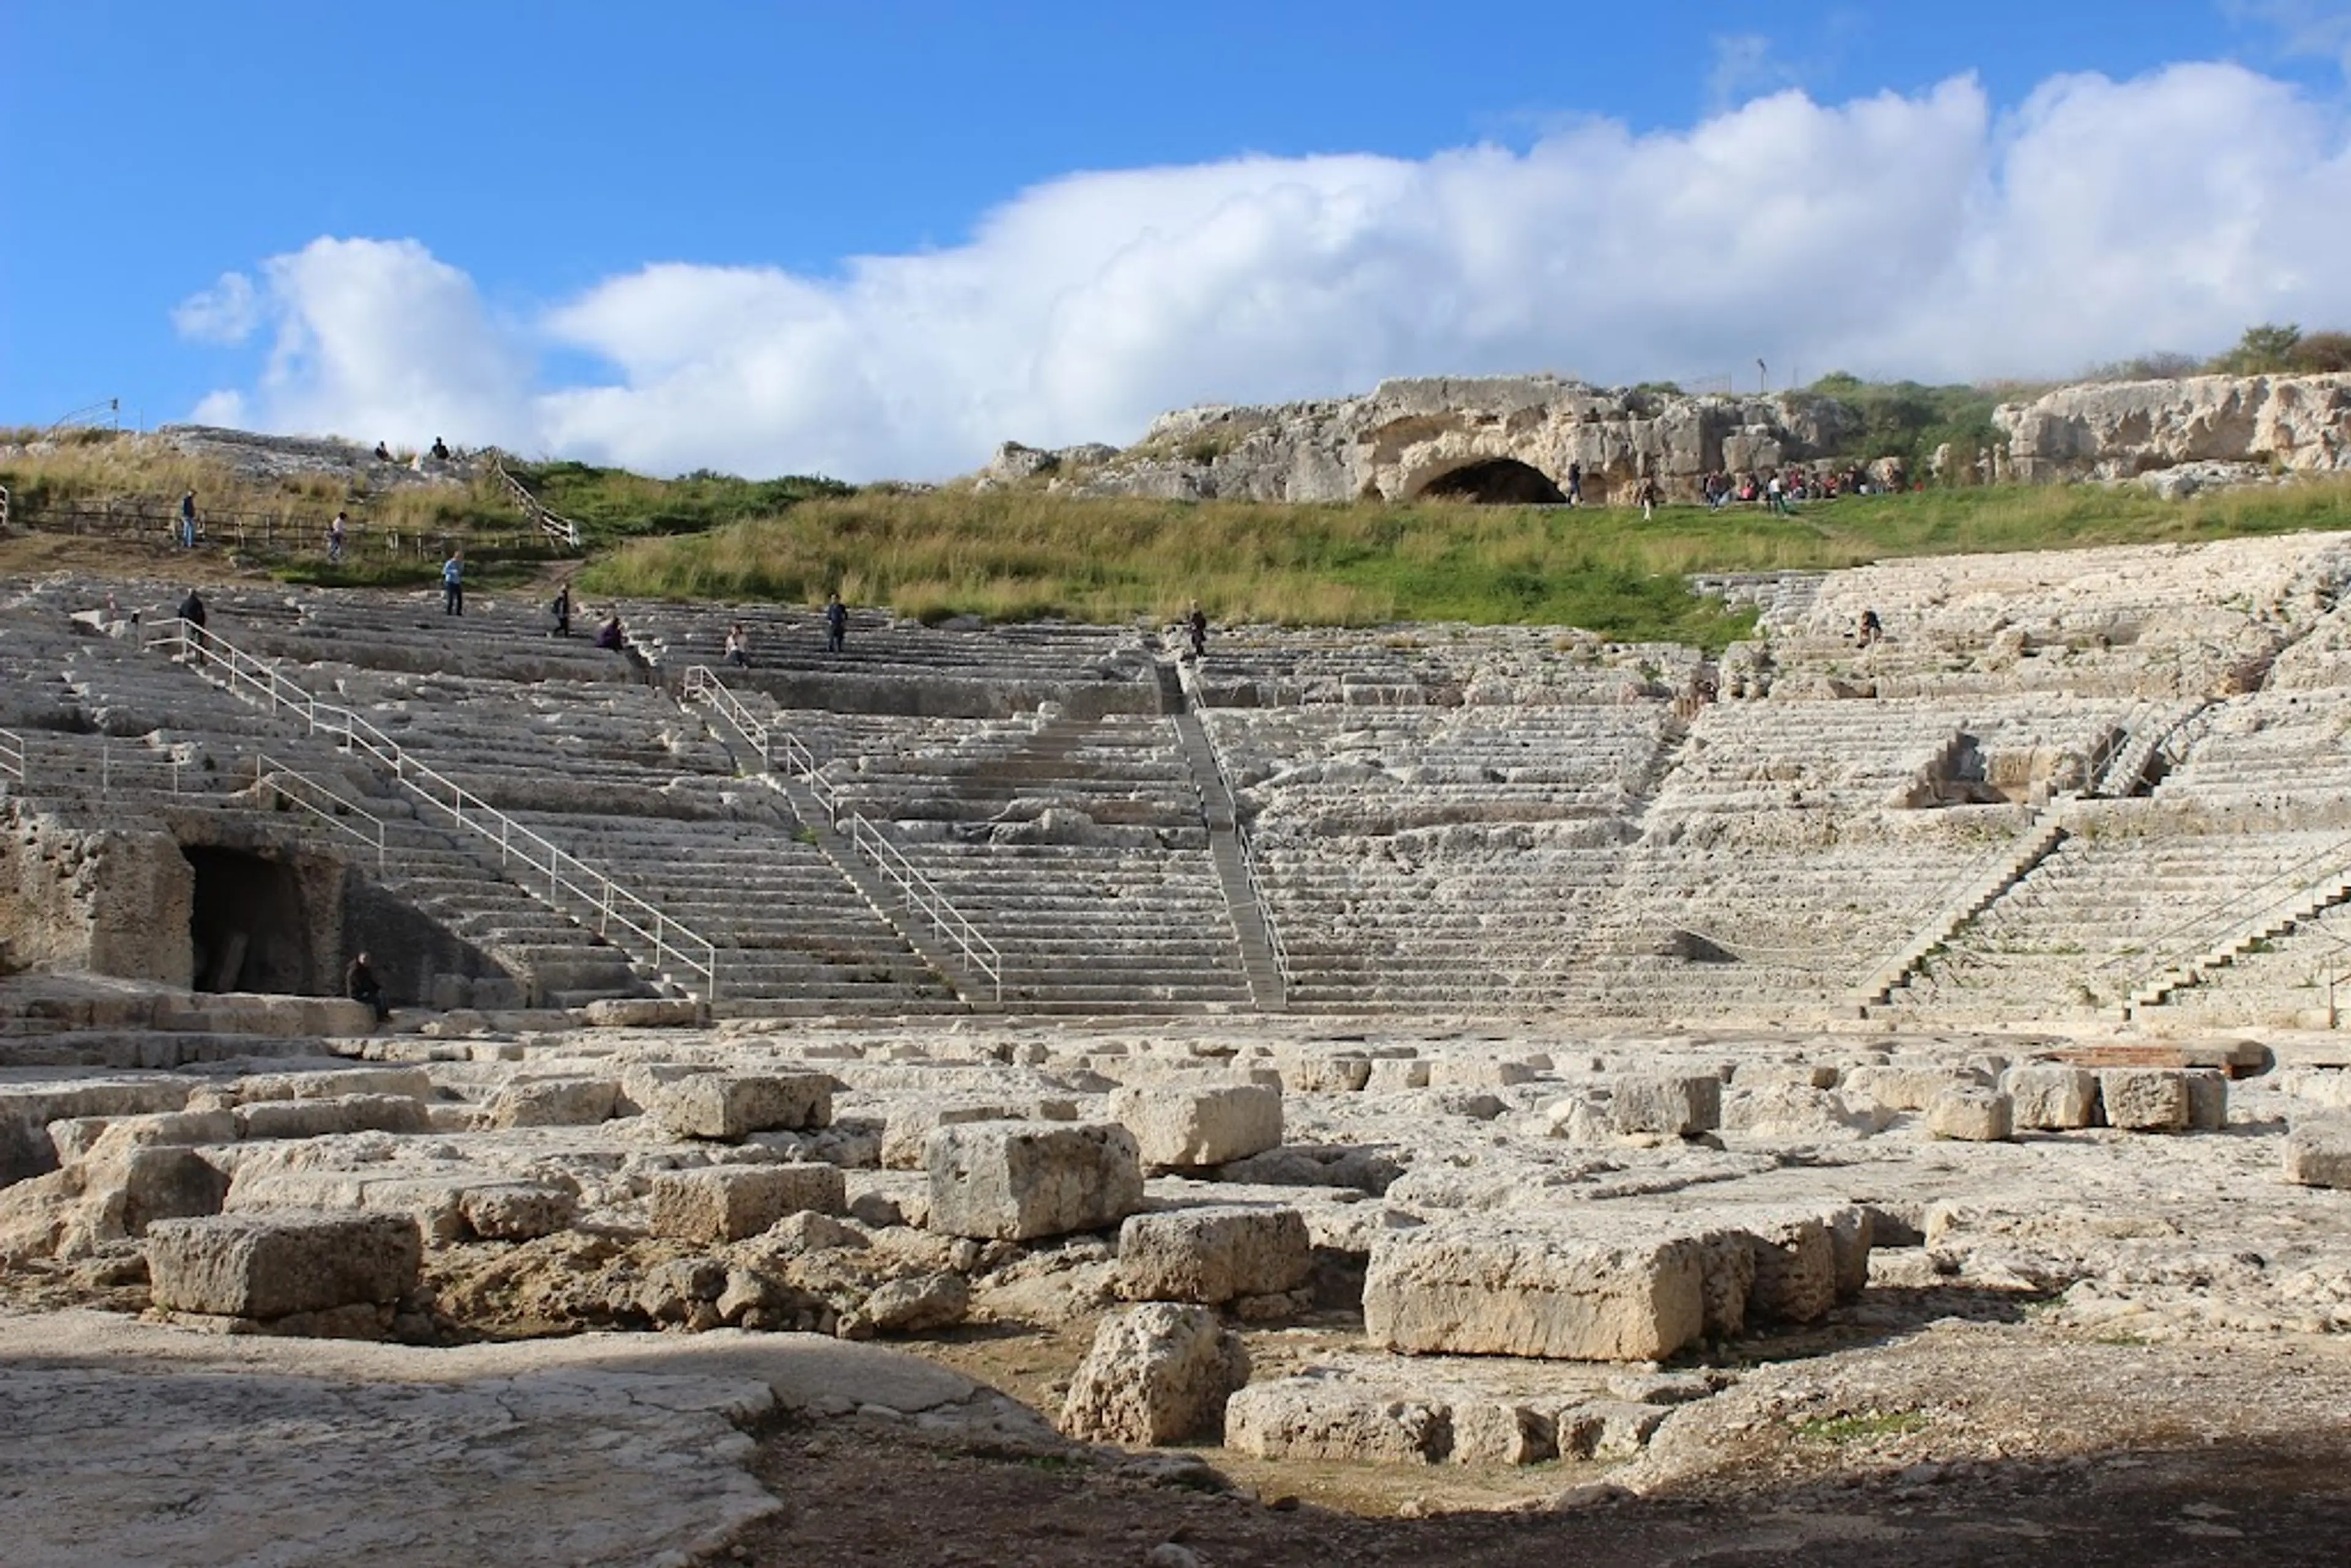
{"x":1967,"y":1445}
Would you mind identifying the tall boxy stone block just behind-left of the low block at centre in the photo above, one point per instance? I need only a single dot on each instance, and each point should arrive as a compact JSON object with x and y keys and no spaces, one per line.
{"x":1014,"y":1181}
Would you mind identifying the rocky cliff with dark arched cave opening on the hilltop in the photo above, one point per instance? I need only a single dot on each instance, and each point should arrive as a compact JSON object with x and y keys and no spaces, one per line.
{"x":1496,"y":438}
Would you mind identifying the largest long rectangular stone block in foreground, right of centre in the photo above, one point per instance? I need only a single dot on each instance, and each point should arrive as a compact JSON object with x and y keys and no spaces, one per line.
{"x":1496,"y":1289}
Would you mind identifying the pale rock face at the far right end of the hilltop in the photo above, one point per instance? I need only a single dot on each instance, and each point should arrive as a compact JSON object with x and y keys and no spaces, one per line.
{"x":2117,"y":431}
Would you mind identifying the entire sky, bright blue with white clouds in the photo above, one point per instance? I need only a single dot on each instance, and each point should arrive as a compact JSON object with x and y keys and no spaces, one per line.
{"x":873,"y":241}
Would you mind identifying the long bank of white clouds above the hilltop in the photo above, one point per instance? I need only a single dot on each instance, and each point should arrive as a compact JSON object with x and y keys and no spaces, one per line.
{"x":1915,"y":236}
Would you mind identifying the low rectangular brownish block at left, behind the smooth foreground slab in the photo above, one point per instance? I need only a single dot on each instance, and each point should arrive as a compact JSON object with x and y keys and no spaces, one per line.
{"x":269,"y":1266}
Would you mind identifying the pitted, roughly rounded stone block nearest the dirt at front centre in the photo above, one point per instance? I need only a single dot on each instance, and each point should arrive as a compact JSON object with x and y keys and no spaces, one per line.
{"x":1156,"y":1374}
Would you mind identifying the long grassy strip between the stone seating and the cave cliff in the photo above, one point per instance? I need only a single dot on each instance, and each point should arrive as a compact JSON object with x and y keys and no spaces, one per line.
{"x":1017,"y":554}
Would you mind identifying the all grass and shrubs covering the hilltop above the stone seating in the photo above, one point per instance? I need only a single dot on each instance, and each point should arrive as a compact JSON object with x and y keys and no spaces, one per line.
{"x":1024,"y":554}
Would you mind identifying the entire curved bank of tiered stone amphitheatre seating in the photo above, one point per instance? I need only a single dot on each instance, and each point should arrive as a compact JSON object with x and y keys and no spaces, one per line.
{"x":1442,"y":817}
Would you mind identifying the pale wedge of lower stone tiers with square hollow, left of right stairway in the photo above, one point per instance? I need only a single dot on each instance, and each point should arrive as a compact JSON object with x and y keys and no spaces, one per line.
{"x":1797,"y":845}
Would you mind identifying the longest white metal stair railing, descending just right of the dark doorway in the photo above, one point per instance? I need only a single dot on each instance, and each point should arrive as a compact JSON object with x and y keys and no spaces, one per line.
{"x":556,"y":876}
